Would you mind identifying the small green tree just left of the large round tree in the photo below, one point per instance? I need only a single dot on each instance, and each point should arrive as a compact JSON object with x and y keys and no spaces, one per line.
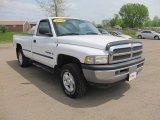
{"x":116,"y":21}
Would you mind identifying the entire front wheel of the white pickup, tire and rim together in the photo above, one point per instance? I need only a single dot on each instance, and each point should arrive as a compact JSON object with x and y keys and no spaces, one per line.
{"x":71,"y":75}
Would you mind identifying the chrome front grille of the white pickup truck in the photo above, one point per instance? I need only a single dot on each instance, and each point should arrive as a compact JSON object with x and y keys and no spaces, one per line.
{"x":125,"y":52}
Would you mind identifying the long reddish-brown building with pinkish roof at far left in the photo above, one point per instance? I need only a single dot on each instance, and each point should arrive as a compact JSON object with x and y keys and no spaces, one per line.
{"x":16,"y":26}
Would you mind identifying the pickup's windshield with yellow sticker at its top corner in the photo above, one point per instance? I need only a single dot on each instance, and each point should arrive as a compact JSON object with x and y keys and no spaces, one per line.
{"x":65,"y":27}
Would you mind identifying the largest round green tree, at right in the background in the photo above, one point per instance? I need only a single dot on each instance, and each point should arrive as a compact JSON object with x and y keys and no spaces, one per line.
{"x":134,"y":15}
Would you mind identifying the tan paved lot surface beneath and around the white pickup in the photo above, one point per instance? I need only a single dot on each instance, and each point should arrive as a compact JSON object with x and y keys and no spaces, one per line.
{"x":33,"y":94}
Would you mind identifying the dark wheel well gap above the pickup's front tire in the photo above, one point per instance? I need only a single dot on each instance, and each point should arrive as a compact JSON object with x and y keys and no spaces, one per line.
{"x":66,"y":59}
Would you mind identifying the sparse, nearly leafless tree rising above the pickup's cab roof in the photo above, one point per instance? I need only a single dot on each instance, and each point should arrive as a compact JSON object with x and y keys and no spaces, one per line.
{"x":52,"y":7}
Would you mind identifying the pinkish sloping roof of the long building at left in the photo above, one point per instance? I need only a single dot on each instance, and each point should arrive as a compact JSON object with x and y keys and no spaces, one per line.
{"x":12,"y":22}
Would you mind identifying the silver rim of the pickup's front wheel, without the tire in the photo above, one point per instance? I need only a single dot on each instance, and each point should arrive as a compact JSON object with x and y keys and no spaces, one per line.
{"x":68,"y":82}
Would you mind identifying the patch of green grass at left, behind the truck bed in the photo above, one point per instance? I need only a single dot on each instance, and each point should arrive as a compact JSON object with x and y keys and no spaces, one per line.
{"x":8,"y":36}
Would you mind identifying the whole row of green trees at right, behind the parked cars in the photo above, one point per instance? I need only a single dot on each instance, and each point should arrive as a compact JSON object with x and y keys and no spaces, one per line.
{"x":132,"y":16}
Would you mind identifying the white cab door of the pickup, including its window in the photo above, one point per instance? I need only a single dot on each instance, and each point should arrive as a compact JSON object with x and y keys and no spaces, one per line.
{"x":43,"y":45}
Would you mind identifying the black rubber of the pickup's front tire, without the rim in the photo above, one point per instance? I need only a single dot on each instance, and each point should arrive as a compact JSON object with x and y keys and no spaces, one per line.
{"x":80,"y":83}
